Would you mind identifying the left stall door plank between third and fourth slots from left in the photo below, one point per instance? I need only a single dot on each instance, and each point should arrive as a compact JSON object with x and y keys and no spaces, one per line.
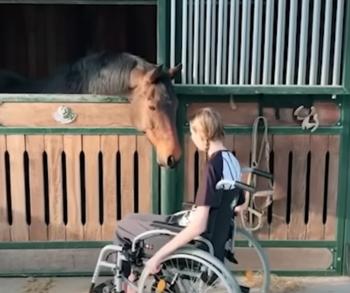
{"x":54,"y":150}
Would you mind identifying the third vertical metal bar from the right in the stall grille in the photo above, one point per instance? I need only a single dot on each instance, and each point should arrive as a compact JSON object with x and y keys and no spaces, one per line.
{"x":315,"y":41}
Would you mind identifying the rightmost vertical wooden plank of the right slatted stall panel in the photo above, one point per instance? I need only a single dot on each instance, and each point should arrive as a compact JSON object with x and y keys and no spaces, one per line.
{"x":330,"y":227}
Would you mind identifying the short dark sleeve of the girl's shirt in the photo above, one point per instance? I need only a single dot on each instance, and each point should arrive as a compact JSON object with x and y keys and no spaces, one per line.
{"x":207,"y":195}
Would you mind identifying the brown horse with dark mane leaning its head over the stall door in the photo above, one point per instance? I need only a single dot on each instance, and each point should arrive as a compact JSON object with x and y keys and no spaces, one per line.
{"x":147,"y":86}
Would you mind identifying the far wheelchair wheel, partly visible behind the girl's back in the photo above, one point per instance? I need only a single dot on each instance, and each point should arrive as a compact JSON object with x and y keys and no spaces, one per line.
{"x":262,"y":269}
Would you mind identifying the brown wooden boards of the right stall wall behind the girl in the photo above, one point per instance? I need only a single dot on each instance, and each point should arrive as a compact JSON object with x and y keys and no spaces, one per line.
{"x":305,"y":168}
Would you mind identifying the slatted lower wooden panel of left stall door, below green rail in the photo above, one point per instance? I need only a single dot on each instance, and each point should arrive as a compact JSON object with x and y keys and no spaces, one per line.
{"x":71,"y":187}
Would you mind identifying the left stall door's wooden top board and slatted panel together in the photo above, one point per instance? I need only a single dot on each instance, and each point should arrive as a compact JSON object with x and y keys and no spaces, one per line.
{"x":65,"y":186}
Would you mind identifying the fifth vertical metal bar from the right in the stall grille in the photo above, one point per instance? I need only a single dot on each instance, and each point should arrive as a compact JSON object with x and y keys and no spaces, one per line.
{"x":291,"y":42}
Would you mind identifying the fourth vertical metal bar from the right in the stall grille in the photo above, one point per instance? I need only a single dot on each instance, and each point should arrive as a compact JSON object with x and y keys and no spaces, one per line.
{"x":303,"y":41}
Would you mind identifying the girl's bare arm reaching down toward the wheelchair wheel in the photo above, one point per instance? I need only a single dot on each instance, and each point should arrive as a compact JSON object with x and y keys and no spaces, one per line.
{"x":196,"y":227}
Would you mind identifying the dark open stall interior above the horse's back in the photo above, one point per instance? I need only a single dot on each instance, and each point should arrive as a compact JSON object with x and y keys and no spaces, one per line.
{"x":36,"y":40}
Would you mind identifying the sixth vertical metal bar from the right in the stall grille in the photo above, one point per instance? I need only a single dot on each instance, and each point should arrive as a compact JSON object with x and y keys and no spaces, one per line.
{"x":280,"y":42}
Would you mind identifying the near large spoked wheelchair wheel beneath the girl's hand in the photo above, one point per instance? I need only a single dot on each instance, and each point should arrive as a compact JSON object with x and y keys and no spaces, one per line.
{"x":189,"y":270}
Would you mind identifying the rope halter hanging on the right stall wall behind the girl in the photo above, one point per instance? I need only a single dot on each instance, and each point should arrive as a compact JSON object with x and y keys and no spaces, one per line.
{"x":253,"y":208}
